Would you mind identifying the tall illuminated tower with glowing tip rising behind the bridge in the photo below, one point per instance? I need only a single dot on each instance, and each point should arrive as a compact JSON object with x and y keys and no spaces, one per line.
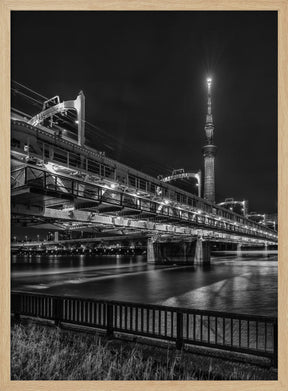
{"x":209,"y":150}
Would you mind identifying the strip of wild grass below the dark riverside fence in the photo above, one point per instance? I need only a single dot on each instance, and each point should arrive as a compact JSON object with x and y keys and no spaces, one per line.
{"x":44,"y":353}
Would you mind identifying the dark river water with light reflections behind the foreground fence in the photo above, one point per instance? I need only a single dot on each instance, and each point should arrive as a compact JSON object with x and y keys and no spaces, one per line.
{"x":241,"y":285}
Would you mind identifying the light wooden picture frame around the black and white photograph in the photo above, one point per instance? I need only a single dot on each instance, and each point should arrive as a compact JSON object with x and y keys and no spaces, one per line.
{"x":9,"y":5}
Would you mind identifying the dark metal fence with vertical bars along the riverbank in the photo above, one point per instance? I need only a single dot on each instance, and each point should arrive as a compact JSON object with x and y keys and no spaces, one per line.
{"x":250,"y":334}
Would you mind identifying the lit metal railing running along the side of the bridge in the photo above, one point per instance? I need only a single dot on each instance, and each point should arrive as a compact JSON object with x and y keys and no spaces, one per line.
{"x":42,"y":180}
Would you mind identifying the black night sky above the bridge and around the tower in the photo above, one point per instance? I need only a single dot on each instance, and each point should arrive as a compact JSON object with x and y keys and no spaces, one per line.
{"x":144,"y":78}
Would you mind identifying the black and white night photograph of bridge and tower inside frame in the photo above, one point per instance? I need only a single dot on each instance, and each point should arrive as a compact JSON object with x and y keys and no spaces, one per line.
{"x":144,"y":210}
